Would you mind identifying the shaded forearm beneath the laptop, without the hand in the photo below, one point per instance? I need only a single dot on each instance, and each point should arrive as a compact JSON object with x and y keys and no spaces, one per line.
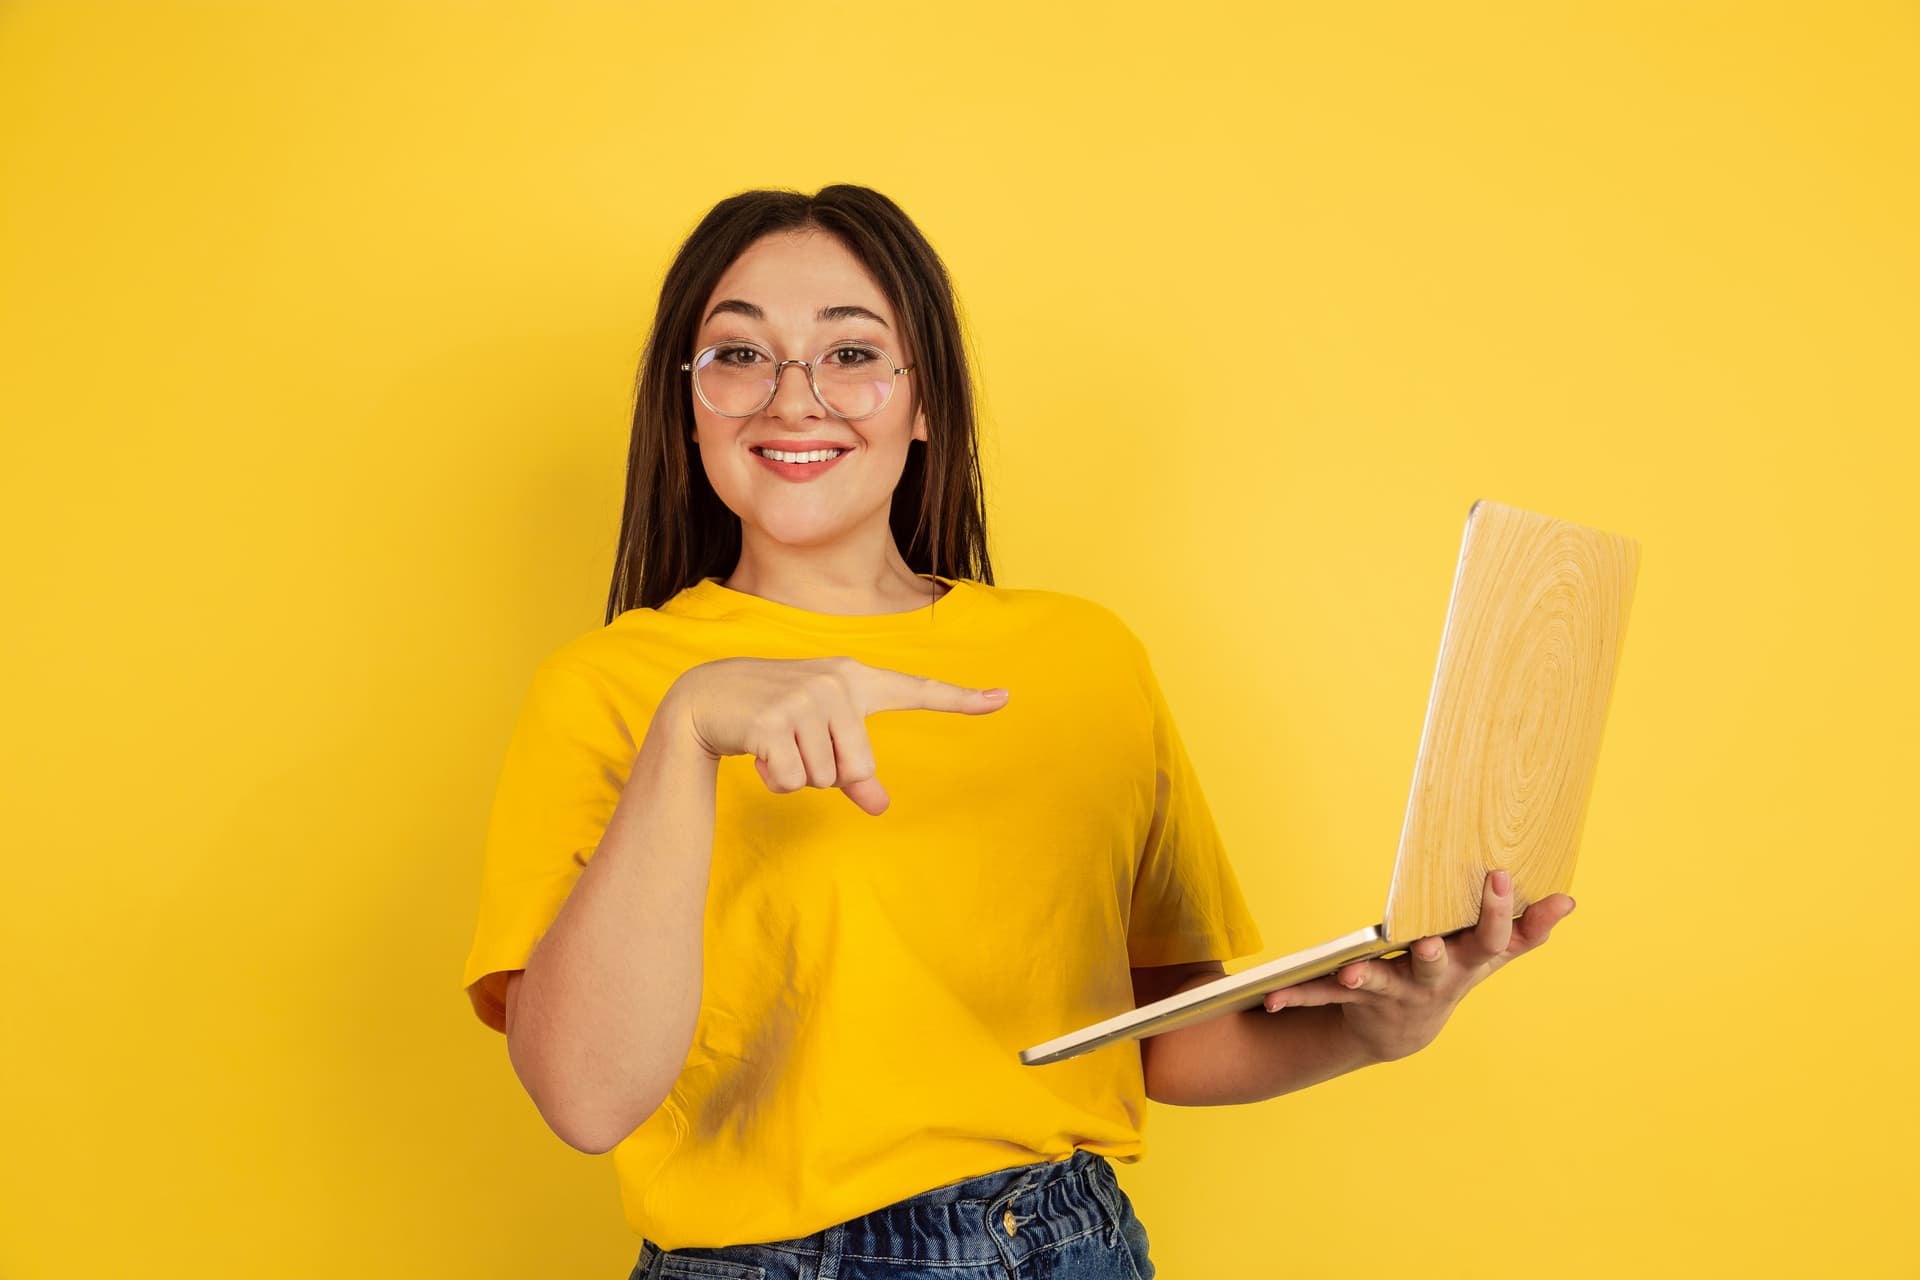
{"x":1249,"y":1056}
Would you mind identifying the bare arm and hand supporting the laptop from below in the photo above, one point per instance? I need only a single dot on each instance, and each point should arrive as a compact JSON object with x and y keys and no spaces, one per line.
{"x":1366,"y":1012}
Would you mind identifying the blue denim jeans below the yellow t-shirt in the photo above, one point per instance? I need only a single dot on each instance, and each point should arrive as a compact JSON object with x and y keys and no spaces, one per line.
{"x":1067,"y":1221}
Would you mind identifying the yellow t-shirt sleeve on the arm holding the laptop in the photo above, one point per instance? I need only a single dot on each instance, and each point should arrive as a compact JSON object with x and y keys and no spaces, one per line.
{"x":1188,"y":903}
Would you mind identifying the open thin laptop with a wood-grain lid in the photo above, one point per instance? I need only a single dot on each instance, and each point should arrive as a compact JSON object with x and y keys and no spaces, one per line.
{"x":1506,"y":763}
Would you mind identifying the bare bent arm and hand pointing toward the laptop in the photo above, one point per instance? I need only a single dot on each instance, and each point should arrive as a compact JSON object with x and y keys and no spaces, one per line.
{"x":602,"y":1020}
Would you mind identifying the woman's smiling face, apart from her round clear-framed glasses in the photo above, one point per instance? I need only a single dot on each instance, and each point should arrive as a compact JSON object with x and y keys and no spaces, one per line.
{"x":788,"y":279}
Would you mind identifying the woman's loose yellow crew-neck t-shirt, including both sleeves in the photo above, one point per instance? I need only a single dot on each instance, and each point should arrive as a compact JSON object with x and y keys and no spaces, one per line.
{"x":871,"y":982}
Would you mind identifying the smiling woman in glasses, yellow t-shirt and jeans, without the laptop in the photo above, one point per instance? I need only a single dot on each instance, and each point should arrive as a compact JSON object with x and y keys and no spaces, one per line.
{"x":794,"y":1016}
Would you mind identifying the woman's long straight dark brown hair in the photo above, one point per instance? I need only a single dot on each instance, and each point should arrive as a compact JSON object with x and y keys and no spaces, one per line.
{"x":675,"y":529}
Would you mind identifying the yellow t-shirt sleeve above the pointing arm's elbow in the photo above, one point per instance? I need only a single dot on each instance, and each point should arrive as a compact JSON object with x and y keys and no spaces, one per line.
{"x":567,"y":763}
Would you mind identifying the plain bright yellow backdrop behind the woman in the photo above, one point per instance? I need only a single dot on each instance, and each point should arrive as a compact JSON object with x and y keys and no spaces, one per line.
{"x":320,"y":331}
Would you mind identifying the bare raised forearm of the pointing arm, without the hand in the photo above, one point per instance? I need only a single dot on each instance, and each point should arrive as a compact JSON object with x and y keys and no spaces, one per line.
{"x":613,"y":989}
